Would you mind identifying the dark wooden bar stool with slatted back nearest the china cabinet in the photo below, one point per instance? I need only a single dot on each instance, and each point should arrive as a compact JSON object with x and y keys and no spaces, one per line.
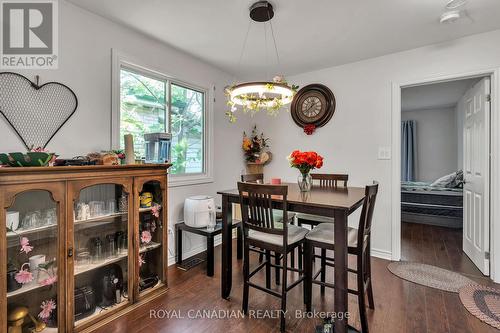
{"x":262,"y":232}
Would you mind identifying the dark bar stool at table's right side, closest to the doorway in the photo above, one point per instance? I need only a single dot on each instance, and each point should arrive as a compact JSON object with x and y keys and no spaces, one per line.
{"x":358,"y":244}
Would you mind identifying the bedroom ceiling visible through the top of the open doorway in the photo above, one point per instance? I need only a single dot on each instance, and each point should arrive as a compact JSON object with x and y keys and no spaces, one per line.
{"x":435,"y":96}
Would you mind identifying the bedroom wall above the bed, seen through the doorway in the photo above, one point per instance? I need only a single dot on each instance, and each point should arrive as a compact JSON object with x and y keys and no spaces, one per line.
{"x":437,"y":143}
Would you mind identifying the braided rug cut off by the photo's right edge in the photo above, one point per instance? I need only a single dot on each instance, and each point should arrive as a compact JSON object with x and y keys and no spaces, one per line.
{"x":483,"y":303}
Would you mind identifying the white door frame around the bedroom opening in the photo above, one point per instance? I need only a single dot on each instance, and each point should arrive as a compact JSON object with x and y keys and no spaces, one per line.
{"x":494,"y":74}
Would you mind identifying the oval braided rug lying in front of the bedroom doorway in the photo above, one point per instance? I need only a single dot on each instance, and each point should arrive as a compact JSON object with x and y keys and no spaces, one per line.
{"x":429,"y":276}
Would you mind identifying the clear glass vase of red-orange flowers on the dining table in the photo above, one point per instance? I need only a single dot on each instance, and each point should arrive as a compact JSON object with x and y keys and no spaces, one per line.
{"x":305,"y":162}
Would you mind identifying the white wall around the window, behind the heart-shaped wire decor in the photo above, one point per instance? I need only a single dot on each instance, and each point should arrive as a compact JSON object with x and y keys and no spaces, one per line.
{"x":85,"y":47}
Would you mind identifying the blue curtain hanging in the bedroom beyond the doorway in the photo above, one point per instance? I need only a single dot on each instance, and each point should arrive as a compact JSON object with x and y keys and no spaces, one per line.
{"x":408,"y":150}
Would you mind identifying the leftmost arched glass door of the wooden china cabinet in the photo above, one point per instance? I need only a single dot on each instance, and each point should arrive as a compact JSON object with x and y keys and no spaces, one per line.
{"x":32,"y":229}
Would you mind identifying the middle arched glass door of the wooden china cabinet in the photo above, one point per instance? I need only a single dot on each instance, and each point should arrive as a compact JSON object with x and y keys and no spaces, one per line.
{"x":101,"y":252}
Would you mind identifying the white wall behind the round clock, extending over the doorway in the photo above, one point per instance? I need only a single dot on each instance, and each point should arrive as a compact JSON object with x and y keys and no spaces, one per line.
{"x":362,"y":121}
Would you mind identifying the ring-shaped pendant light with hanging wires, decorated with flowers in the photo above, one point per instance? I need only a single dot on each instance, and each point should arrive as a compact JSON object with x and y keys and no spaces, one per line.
{"x":254,"y":96}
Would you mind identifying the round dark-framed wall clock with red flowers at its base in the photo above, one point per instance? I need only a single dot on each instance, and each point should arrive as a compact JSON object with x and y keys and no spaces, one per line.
{"x":312,"y":107}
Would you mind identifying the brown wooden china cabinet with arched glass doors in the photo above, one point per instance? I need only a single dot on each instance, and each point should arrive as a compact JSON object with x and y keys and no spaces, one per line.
{"x":81,"y":245}
